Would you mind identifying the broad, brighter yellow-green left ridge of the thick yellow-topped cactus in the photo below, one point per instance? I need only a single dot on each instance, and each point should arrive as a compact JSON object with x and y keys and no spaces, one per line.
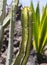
{"x":24,"y":37}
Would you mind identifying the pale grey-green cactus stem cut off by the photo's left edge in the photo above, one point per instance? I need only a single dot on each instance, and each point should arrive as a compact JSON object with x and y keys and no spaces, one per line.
{"x":2,"y":16}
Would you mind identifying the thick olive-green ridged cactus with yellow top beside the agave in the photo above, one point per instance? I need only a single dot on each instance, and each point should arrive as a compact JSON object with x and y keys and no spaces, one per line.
{"x":26,"y":37}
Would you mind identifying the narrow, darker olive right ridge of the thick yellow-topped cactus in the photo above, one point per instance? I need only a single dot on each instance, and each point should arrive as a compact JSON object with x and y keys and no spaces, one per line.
{"x":29,"y":42}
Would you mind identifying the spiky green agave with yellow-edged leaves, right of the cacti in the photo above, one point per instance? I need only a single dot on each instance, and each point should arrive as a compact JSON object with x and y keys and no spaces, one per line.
{"x":39,"y":29}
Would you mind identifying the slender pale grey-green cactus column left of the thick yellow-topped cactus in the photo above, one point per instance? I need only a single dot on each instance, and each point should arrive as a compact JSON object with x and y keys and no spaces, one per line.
{"x":11,"y":33}
